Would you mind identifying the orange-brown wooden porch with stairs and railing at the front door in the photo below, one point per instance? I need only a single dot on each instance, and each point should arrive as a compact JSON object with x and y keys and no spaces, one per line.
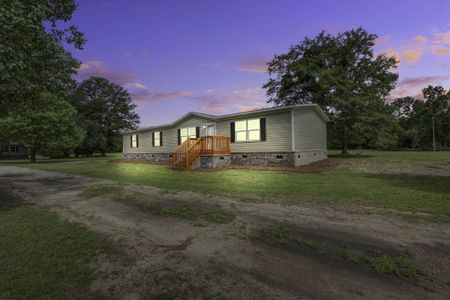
{"x":186,"y":154}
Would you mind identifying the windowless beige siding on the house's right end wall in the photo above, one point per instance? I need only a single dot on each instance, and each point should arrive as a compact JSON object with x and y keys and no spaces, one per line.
{"x":310,"y":131}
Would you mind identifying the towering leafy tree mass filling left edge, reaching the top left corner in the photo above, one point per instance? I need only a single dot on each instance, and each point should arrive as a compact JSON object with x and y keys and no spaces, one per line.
{"x":35,"y":73}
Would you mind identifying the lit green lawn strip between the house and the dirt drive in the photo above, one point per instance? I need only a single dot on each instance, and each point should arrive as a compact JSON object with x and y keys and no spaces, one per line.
{"x":407,"y":194}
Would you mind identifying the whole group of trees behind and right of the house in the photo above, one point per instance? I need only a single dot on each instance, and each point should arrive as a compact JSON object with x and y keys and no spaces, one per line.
{"x":342,"y":74}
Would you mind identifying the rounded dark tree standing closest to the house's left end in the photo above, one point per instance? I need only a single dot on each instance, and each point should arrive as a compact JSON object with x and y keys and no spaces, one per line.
{"x":105,"y":109}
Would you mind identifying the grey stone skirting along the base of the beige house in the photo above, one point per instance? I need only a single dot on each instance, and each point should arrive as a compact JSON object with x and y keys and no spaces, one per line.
{"x":280,"y":159}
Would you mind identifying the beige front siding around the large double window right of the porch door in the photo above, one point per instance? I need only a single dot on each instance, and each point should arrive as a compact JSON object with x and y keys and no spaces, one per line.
{"x":278,"y":134}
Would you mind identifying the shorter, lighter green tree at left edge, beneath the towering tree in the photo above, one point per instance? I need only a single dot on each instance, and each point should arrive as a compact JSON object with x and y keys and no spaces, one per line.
{"x":47,"y":124}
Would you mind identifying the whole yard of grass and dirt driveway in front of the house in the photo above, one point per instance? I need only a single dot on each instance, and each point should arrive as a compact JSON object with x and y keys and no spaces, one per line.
{"x":55,"y":254}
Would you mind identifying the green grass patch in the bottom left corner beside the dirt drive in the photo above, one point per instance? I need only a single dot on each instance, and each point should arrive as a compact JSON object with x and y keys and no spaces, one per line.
{"x":42,"y":257}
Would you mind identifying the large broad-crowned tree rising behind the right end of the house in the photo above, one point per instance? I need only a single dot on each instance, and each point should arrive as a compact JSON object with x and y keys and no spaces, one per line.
{"x":340,"y":73}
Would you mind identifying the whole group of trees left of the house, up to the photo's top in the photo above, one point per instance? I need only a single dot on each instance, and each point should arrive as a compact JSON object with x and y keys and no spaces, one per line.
{"x":41,"y":105}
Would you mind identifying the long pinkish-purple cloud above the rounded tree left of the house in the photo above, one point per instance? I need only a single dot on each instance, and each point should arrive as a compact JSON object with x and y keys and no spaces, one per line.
{"x":138,"y":91}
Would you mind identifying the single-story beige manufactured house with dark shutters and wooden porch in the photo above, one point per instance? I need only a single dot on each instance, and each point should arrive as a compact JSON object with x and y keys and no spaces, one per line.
{"x":282,"y":136}
